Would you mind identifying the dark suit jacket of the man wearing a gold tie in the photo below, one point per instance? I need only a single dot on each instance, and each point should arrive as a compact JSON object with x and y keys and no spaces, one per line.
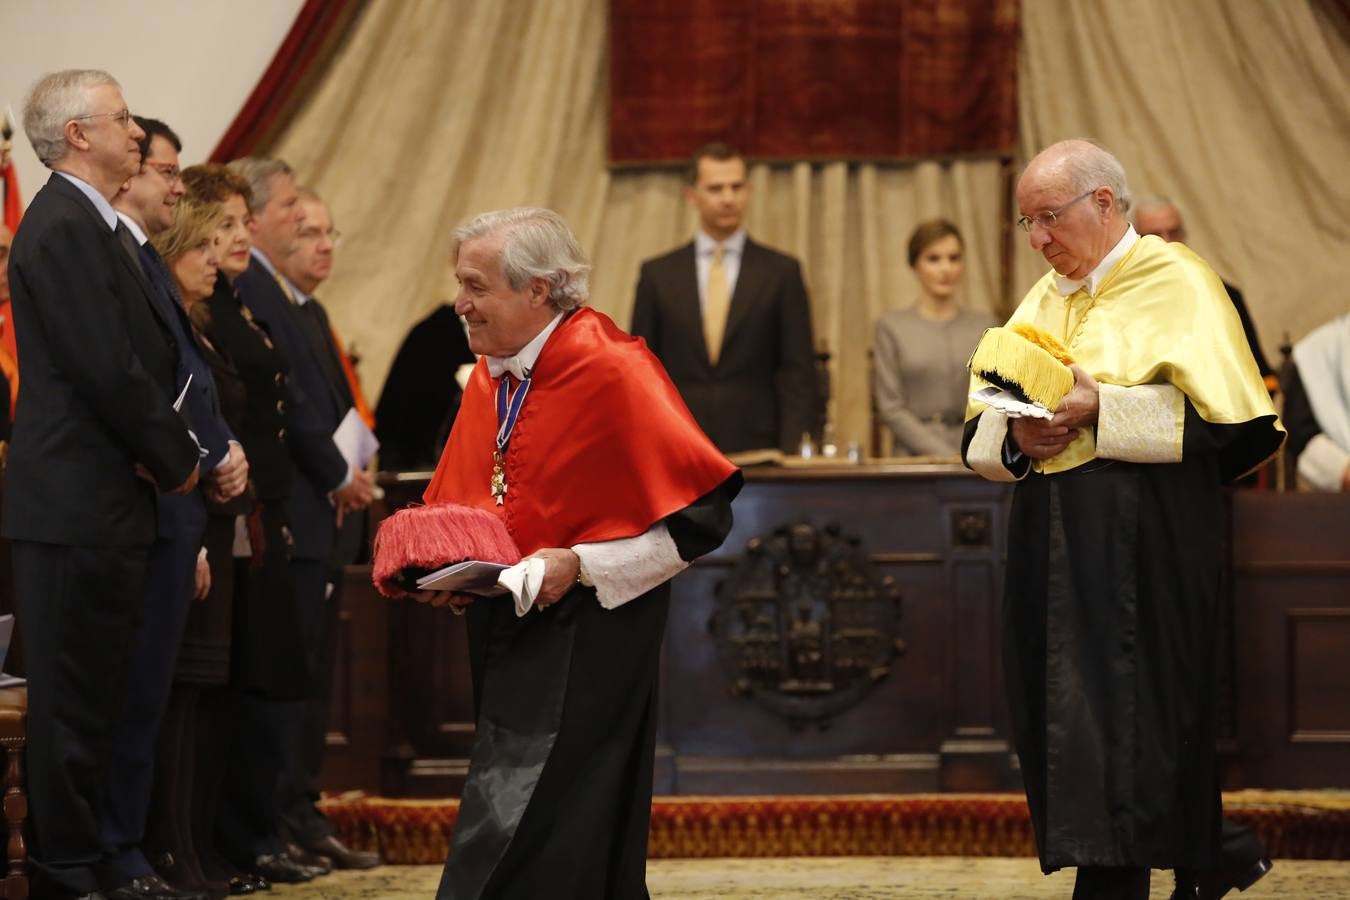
{"x":762,"y":393}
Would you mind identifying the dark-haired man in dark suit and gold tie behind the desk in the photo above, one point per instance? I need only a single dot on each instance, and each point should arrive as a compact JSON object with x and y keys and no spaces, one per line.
{"x":730,"y":319}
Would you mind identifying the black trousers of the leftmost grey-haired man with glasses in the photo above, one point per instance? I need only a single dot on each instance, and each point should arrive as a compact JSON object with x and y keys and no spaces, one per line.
{"x":80,"y":609}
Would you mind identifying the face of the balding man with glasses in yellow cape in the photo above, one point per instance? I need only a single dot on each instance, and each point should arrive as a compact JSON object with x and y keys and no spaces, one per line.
{"x":1081,"y":237}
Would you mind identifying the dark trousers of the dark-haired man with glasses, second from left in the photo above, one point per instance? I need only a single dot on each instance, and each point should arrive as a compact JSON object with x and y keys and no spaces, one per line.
{"x":155,"y":652}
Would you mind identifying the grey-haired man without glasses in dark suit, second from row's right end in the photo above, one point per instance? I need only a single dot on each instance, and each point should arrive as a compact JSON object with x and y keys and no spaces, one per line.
{"x":326,"y":488}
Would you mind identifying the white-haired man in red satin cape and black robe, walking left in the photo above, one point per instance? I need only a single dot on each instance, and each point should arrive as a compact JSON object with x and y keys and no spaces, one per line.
{"x":574,"y":435}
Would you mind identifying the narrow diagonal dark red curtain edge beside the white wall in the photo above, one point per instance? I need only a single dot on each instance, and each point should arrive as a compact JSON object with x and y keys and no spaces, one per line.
{"x":310,"y":45}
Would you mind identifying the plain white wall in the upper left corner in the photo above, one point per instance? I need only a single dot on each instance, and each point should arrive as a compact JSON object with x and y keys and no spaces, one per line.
{"x":188,"y":63}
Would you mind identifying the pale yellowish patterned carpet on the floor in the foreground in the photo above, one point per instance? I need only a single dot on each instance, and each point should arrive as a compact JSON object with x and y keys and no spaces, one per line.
{"x":840,"y":879}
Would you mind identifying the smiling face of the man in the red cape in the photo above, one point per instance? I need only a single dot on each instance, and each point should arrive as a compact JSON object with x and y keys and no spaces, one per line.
{"x":502,"y":320}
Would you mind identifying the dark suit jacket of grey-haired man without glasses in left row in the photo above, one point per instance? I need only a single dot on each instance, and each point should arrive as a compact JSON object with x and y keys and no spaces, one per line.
{"x":315,"y":412}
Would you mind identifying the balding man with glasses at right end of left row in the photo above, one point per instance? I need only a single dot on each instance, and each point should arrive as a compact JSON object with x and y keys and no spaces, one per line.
{"x":306,"y":269}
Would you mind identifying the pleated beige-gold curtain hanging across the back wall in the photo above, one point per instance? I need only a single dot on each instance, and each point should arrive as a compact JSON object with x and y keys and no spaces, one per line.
{"x":437,"y":111}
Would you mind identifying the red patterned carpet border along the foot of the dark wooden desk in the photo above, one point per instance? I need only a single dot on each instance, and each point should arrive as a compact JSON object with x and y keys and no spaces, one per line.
{"x":1295,"y":825}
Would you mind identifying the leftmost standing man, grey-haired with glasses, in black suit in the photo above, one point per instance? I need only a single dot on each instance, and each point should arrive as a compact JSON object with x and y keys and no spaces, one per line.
{"x":95,"y":439}
